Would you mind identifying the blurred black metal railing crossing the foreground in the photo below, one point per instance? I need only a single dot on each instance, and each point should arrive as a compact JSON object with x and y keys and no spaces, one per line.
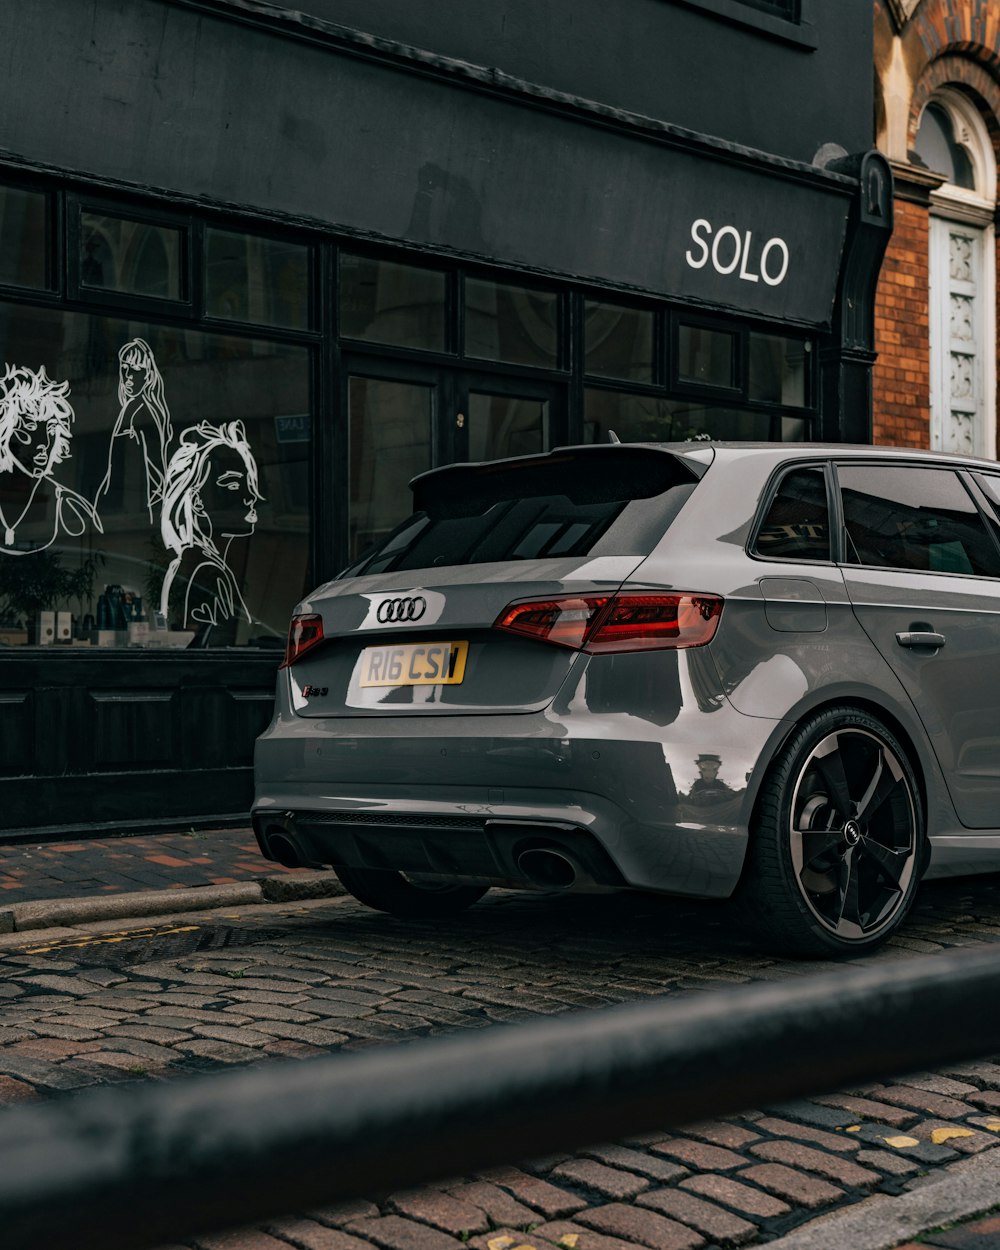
{"x":122,"y":1169}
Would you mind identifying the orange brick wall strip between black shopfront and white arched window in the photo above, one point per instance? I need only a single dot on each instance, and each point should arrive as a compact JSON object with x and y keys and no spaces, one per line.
{"x":902,"y":376}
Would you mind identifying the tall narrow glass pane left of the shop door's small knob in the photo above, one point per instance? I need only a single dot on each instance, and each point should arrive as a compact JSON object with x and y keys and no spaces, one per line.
{"x":391,"y":433}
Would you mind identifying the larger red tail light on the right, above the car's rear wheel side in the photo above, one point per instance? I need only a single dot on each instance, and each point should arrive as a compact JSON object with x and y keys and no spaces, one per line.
{"x":628,"y":622}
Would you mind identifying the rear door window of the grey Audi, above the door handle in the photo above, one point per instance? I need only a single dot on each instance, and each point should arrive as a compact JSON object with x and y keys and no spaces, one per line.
{"x":902,"y":517}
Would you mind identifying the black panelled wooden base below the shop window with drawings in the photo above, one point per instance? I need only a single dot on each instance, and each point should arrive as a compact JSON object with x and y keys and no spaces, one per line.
{"x":122,"y":738}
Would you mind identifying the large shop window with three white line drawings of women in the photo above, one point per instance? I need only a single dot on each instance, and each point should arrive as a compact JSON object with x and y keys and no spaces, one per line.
{"x":153,"y":483}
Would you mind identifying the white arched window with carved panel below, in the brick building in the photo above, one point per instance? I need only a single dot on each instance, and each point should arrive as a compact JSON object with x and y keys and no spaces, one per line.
{"x":953,"y":141}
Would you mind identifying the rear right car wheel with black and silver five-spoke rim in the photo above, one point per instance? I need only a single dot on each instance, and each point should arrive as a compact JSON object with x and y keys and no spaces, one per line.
{"x":837,"y":844}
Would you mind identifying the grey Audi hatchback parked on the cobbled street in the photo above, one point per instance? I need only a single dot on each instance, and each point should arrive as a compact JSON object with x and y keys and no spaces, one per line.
{"x":769,"y":673}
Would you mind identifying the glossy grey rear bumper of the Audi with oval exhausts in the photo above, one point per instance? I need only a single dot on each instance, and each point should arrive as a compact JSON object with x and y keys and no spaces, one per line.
{"x":622,"y":802}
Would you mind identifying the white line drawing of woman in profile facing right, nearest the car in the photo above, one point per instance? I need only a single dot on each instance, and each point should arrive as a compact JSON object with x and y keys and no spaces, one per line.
{"x":211,"y":497}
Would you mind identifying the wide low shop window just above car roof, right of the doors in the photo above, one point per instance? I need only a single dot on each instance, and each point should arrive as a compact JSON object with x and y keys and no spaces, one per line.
{"x":653,"y":419}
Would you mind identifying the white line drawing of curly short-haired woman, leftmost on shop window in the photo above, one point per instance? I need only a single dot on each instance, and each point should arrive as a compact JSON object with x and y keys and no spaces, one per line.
{"x":36,"y":434}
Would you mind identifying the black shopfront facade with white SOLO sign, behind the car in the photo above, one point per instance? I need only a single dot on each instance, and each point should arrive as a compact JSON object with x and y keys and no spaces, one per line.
{"x":261,"y":267}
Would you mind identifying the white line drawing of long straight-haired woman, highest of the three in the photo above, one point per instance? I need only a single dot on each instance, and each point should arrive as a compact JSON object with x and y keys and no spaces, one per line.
{"x":143,"y":417}
